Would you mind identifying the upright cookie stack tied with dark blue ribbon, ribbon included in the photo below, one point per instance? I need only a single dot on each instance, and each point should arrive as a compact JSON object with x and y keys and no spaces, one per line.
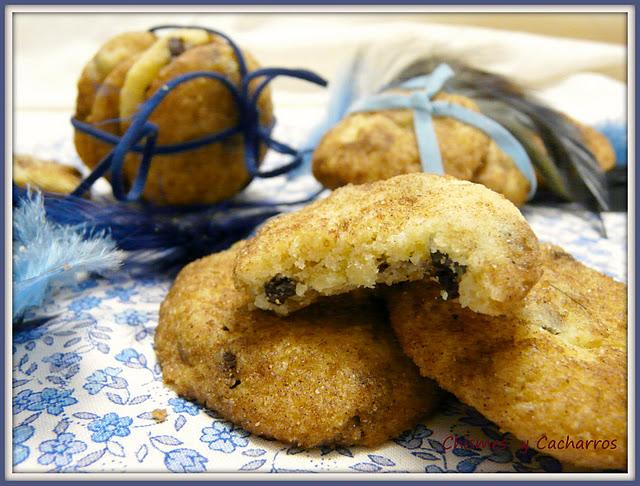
{"x":177,"y":116}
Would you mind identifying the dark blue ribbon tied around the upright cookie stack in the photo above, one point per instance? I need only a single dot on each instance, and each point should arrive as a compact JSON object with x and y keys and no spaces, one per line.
{"x":141,"y":136}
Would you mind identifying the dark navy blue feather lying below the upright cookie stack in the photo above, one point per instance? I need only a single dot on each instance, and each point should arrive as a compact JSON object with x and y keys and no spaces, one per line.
{"x":159,"y":238}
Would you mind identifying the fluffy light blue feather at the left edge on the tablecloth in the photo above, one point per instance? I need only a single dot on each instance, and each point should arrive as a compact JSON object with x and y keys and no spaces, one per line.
{"x":45,"y":252}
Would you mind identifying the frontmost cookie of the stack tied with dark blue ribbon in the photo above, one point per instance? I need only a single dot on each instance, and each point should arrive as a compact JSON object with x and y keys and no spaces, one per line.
{"x":193,"y":110}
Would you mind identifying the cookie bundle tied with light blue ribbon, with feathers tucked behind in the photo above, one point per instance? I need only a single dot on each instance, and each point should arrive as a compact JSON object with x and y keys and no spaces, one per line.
{"x":444,"y":117}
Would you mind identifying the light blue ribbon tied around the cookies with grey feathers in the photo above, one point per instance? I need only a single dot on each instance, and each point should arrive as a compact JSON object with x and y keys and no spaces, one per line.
{"x":421,"y":90}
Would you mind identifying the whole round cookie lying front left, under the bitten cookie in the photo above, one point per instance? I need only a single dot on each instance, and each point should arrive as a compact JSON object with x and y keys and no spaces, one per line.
{"x":332,"y":374}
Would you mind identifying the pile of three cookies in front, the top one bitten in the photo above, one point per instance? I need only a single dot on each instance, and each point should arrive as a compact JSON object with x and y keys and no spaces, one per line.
{"x":337,"y":324}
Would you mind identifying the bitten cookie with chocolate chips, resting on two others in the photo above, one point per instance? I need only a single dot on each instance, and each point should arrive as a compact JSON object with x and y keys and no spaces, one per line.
{"x":471,"y":240}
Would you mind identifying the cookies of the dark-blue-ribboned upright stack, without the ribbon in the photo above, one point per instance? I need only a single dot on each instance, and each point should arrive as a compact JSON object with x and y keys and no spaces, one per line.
{"x":192,"y":110}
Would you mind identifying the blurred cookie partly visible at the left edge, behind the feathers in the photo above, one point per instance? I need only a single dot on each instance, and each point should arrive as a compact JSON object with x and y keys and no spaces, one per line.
{"x":46,"y":175}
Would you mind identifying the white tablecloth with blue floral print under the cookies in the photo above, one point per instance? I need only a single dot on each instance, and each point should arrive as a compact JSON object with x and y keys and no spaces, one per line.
{"x":88,"y":393}
